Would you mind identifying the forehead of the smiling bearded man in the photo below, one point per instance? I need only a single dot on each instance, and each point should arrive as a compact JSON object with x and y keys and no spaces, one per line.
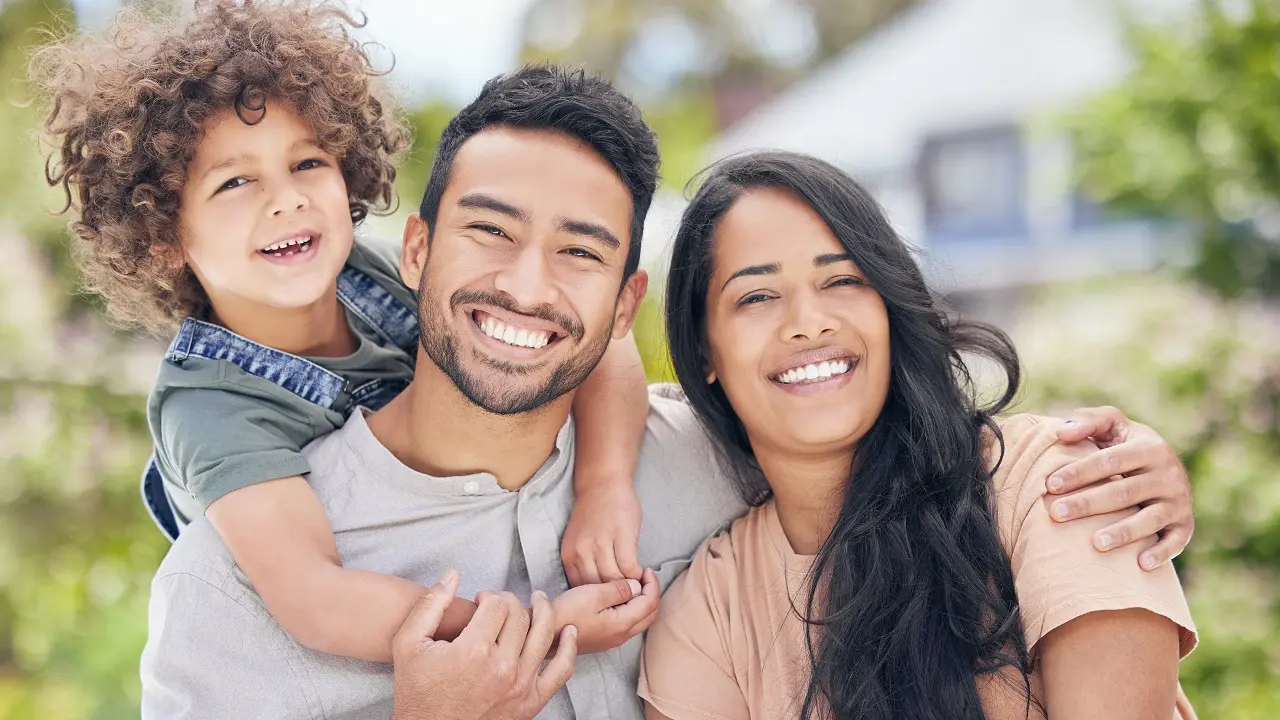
{"x":545,"y":174}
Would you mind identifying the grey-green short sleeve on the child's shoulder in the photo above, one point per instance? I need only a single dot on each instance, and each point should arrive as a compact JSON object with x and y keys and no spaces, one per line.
{"x":213,"y":441}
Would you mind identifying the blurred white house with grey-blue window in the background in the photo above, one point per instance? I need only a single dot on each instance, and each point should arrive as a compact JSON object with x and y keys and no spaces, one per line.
{"x":952,"y":115}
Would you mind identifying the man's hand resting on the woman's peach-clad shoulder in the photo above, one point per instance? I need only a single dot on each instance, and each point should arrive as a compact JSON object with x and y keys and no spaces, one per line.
{"x":1135,"y":468}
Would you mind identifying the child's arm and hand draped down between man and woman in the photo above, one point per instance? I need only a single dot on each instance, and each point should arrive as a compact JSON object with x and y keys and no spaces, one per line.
{"x":610,"y":411}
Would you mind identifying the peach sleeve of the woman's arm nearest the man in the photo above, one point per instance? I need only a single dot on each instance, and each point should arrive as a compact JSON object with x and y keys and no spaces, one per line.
{"x":687,"y":668}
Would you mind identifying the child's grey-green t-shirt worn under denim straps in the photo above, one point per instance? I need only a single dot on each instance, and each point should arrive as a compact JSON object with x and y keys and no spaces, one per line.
{"x":218,"y":429}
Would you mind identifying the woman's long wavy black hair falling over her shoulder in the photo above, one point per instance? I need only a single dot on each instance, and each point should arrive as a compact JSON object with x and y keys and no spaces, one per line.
{"x":913,"y":591}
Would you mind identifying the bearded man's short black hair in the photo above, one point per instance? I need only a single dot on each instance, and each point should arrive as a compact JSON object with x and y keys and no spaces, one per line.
{"x":573,"y":103}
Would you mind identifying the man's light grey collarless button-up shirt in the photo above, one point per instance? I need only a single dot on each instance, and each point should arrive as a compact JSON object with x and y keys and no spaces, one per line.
{"x":214,"y":651}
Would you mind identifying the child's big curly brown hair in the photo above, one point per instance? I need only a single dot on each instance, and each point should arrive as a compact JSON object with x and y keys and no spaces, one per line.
{"x":127,"y":111}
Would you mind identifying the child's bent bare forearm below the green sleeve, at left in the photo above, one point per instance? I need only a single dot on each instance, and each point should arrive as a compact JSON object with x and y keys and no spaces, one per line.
{"x":280,"y":536}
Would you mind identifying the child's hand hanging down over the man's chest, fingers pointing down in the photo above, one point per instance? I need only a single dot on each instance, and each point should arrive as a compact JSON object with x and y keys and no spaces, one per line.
{"x":604,"y":532}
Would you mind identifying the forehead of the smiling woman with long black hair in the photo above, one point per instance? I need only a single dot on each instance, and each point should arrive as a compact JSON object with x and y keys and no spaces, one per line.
{"x":771,"y":226}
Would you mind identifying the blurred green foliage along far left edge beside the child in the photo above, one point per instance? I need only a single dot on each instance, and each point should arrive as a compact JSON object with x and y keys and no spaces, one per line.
{"x":77,"y":550}
